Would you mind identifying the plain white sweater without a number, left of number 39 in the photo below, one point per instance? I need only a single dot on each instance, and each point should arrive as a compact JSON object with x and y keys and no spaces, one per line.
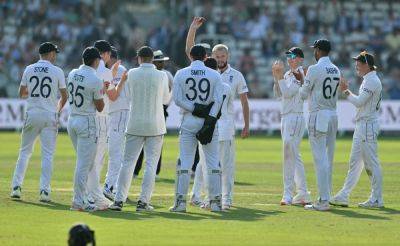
{"x":148,"y":90}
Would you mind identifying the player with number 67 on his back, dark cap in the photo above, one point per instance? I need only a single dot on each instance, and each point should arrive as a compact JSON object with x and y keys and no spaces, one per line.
{"x":320,"y":87}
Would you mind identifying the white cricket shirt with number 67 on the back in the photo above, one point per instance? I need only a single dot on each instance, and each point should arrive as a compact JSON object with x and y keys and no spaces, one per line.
{"x":321,"y":85}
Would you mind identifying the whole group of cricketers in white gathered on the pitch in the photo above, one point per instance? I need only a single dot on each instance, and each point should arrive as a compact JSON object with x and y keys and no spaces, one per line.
{"x":123,"y":113}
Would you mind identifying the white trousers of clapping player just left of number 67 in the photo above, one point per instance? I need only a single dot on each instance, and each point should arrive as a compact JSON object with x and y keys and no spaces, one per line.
{"x":294,"y":178}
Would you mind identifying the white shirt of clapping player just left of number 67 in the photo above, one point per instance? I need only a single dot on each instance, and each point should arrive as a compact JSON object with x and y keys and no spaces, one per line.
{"x":288,"y":92}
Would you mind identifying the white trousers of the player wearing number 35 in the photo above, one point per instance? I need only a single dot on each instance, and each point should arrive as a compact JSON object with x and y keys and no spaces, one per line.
{"x":82,"y":131}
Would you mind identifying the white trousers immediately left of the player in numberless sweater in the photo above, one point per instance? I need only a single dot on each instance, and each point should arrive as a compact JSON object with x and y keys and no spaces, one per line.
{"x":117,"y":126}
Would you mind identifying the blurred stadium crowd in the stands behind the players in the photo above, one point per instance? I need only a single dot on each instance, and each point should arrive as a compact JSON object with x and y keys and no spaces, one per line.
{"x":257,"y":32}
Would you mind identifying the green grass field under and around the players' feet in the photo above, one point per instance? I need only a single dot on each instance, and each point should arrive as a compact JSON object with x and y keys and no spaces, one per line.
{"x":256,"y":219}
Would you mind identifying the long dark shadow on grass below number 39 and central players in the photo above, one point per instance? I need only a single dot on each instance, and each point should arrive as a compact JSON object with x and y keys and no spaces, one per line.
{"x":236,"y":213}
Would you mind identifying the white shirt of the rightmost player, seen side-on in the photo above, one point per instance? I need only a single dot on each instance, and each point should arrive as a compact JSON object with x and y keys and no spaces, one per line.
{"x":369,"y":97}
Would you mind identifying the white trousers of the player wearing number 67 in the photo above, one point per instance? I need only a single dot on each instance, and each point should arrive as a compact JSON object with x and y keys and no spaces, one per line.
{"x":323,"y":147}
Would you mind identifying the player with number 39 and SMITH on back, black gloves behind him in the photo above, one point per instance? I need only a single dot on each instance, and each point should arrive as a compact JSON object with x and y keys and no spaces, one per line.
{"x":199,"y":92}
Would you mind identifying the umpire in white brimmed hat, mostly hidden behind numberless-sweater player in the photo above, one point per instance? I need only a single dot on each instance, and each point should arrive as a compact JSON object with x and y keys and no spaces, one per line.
{"x":159,"y":61}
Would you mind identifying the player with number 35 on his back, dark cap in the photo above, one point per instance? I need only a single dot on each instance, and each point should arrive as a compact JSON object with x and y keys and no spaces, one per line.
{"x":85,"y":98}
